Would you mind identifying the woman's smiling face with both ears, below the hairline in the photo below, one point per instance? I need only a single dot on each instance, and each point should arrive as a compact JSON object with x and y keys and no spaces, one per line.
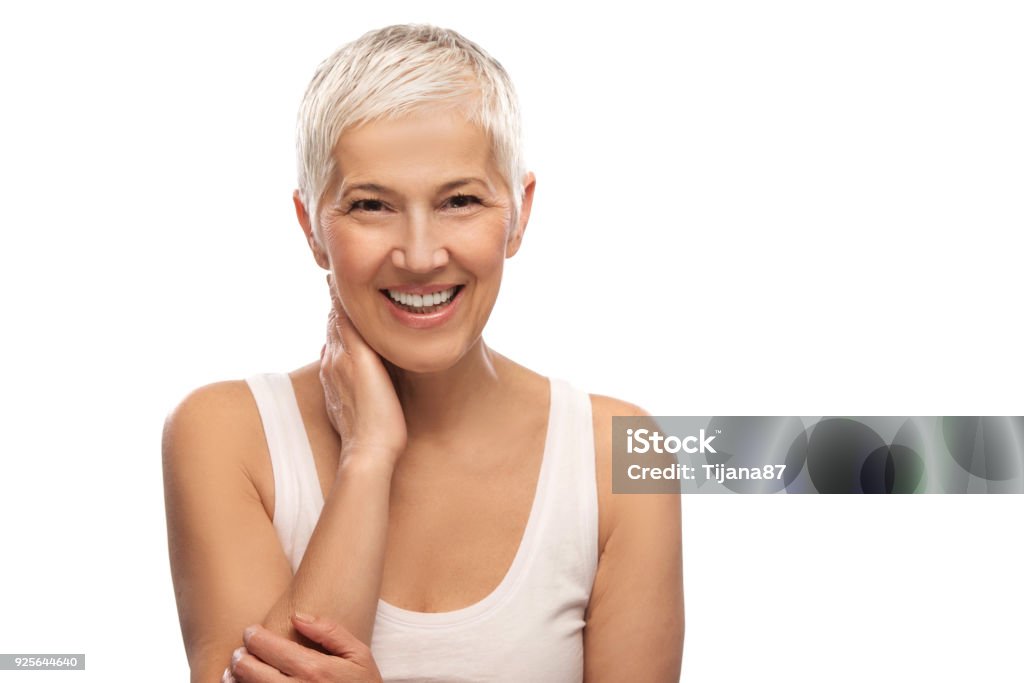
{"x":416,"y":232}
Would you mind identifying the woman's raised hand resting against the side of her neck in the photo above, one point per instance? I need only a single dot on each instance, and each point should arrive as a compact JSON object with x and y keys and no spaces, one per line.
{"x":360,"y":397}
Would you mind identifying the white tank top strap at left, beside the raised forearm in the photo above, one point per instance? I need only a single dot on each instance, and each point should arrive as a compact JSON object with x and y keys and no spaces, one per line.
{"x":297,"y":496}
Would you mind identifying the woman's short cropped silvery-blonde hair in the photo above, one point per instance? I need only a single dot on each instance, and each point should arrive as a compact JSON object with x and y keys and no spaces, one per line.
{"x":392,"y":72}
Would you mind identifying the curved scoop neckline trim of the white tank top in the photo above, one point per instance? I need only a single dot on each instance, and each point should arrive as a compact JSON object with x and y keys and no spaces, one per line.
{"x":517,"y":571}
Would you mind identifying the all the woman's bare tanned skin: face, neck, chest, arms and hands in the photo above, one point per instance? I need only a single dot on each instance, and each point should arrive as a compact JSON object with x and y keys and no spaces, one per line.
{"x":398,"y":419}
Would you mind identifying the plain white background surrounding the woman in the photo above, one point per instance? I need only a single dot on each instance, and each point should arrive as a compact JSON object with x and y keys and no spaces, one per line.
{"x":788,"y":208}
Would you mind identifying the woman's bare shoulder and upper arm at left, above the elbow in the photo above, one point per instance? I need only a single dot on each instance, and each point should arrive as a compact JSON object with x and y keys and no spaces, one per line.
{"x":228,"y":566}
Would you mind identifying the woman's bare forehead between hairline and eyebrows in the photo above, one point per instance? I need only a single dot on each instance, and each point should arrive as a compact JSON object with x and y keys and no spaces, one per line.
{"x":429,"y":145}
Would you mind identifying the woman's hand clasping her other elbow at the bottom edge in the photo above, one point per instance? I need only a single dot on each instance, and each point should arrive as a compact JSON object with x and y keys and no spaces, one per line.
{"x":268,"y":658}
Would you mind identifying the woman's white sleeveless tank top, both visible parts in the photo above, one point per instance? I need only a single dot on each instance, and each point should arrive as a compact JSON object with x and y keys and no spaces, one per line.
{"x":531,"y":627}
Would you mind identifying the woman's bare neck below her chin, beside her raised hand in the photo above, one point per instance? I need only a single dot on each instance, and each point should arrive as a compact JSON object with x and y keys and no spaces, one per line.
{"x":436,"y":403}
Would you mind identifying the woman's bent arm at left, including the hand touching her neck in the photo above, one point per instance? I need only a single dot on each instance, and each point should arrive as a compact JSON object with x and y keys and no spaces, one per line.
{"x":228,"y":566}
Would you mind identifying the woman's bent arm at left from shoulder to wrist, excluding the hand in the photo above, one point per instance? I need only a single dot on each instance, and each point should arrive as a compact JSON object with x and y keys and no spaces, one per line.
{"x":227,"y":563}
